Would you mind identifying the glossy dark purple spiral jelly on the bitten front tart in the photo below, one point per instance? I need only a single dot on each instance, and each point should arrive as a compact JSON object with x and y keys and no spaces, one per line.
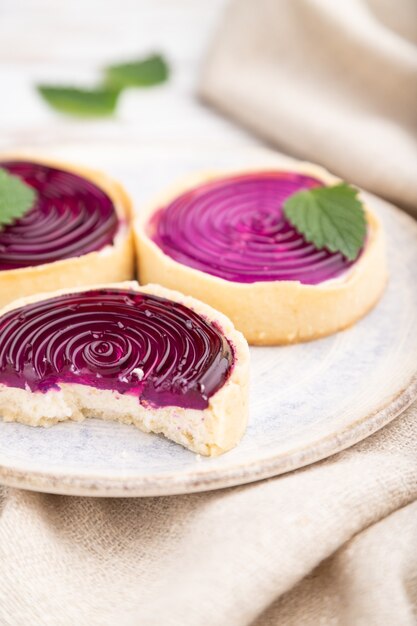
{"x":118,"y":339}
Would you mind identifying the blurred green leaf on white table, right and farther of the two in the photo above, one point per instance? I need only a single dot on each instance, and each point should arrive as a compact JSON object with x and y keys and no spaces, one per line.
{"x":141,"y":73}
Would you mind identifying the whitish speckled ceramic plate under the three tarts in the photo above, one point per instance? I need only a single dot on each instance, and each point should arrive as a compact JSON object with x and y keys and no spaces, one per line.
{"x":308,"y":401}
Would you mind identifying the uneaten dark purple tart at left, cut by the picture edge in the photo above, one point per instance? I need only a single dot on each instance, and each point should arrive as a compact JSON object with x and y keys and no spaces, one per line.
{"x":77,"y":233}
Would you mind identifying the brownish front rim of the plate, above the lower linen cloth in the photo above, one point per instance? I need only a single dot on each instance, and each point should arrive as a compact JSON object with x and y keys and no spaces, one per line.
{"x":167,"y":484}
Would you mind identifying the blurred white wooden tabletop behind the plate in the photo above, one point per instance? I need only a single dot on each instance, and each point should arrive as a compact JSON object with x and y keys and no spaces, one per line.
{"x":67,"y":41}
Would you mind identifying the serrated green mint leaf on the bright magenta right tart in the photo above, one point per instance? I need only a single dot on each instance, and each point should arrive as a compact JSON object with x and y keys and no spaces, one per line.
{"x":329,"y":217}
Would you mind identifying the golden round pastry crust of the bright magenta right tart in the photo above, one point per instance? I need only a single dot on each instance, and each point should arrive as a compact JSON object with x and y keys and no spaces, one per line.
{"x":271,"y":312}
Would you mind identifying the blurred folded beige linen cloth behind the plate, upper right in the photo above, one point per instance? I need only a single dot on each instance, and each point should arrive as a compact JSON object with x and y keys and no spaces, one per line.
{"x":330,"y":81}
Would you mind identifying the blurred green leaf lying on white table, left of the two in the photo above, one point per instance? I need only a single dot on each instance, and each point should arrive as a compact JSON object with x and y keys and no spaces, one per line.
{"x":80,"y":102}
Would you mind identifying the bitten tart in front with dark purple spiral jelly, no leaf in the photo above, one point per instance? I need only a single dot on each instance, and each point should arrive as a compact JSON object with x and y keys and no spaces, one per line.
{"x":146,"y":356}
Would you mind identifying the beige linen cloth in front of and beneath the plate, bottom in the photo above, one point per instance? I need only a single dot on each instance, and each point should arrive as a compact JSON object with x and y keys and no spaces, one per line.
{"x":334,"y":544}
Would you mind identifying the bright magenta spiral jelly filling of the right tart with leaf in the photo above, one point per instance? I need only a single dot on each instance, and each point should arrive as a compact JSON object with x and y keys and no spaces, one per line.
{"x":235,"y":228}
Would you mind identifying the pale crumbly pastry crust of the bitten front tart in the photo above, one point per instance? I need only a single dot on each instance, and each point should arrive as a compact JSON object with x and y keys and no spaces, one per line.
{"x":210,"y":432}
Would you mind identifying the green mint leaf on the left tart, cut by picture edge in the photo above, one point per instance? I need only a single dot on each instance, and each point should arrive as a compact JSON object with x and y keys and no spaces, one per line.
{"x":16,"y":198}
